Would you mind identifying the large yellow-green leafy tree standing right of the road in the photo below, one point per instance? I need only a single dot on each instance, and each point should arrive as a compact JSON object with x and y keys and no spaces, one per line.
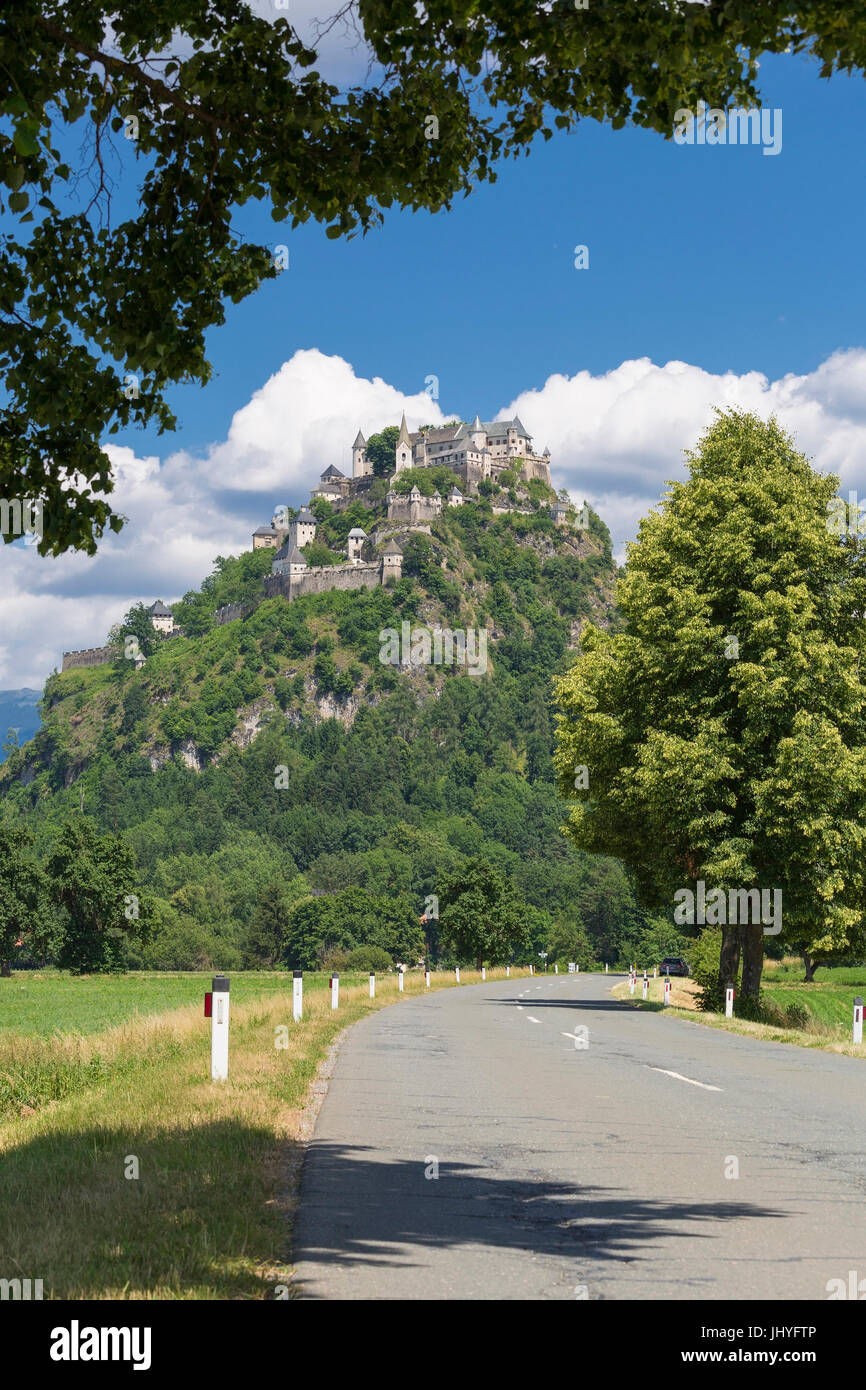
{"x":724,"y":732}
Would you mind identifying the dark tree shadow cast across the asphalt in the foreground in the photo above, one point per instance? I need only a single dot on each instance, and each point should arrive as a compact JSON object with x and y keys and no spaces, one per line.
{"x":355,"y":1211}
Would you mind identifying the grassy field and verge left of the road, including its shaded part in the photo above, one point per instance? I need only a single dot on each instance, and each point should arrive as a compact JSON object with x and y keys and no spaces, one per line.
{"x":209,"y":1214}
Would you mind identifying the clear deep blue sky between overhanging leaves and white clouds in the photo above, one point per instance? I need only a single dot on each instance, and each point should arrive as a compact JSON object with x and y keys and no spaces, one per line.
{"x":725,"y":258}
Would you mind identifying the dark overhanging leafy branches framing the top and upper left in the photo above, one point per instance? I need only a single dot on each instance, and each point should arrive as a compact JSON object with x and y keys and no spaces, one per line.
{"x":213,"y":106}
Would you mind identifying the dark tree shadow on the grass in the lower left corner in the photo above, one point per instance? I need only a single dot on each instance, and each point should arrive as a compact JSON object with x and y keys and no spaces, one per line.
{"x":206,"y":1217}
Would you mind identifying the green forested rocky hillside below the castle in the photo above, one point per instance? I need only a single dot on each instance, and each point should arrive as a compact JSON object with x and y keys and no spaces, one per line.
{"x":275,"y":761}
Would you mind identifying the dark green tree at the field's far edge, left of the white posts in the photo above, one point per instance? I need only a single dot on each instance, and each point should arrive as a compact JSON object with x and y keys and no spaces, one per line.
{"x":95,"y":885}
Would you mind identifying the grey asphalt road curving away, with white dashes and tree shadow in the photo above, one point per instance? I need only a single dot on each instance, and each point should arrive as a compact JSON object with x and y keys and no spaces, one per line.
{"x":569,"y":1172}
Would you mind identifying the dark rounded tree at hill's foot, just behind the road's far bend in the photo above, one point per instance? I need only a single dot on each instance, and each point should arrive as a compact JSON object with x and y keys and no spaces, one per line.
{"x":482,"y":917}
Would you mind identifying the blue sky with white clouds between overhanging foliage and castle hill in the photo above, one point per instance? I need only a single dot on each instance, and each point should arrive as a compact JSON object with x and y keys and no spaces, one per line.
{"x":718,"y":276}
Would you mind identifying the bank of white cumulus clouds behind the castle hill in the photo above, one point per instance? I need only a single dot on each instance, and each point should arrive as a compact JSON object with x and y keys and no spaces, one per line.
{"x":615,"y":440}
